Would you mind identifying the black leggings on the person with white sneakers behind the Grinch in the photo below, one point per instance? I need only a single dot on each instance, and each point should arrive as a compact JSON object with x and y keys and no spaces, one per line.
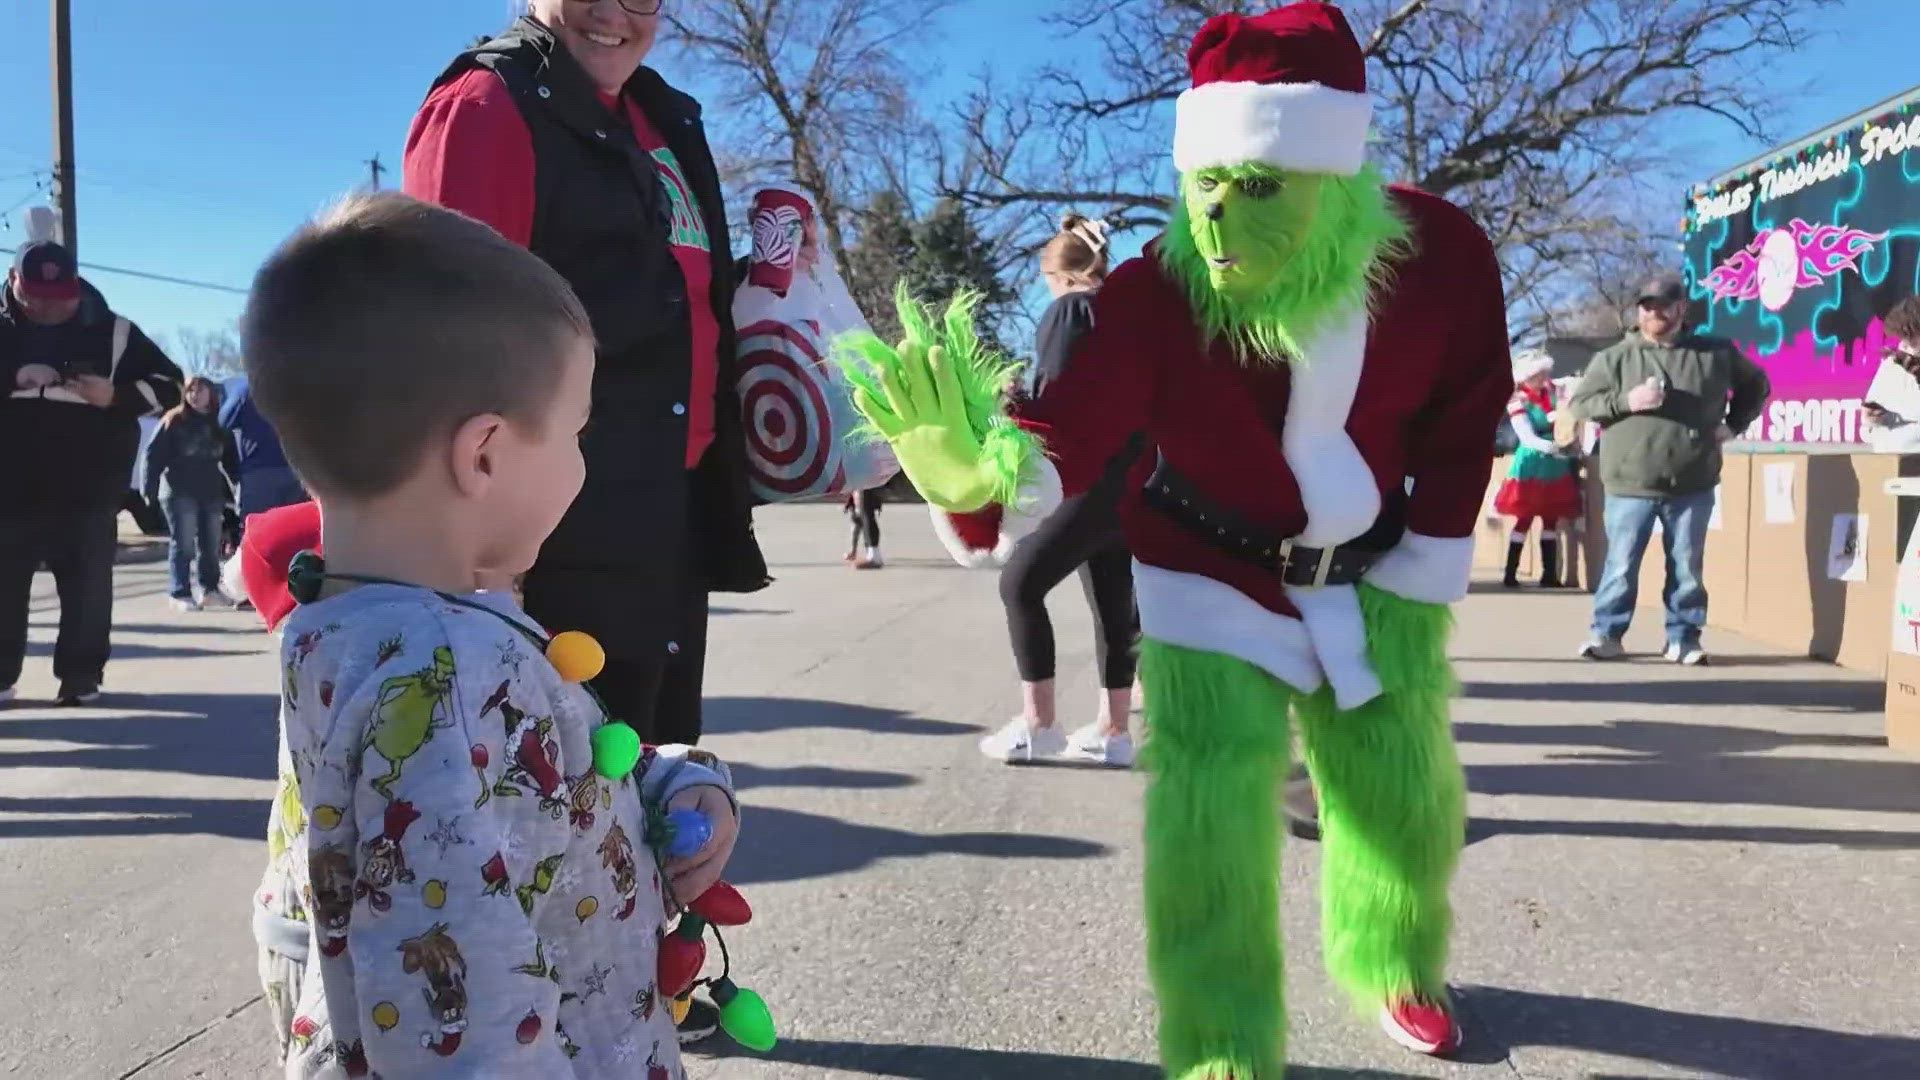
{"x":1082,"y":535}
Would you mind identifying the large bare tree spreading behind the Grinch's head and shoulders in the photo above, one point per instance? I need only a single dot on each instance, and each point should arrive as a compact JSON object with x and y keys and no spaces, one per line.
{"x":1541,"y":118}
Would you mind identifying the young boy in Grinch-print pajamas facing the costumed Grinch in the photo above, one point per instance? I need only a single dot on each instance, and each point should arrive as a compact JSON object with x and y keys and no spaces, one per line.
{"x":469,"y":893}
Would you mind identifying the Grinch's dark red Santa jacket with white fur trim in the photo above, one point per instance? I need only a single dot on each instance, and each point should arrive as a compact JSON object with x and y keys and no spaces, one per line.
{"x":1404,"y":401}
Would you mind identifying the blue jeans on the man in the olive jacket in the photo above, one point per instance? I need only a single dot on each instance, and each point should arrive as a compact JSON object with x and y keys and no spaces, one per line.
{"x":1629,"y":528}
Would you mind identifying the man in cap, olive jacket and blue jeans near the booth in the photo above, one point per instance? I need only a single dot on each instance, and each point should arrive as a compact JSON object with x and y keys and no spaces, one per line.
{"x":1666,"y":401}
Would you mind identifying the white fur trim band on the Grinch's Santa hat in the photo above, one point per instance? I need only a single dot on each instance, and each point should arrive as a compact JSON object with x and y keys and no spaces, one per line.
{"x":1303,"y":128}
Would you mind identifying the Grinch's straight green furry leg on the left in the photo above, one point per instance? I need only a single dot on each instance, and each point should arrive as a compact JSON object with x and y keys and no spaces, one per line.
{"x":1216,"y":752}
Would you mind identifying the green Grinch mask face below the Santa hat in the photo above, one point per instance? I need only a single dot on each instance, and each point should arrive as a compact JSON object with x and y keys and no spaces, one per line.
{"x":1249,"y":222}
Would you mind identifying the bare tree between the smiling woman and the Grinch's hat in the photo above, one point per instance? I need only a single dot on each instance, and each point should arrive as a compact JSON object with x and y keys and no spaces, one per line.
{"x":813,"y":93}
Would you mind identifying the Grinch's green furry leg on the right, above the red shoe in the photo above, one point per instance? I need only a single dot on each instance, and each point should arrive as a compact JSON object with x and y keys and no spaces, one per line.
{"x":1393,"y":808}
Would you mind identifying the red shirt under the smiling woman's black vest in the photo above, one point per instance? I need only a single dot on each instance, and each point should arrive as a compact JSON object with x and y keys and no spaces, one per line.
{"x":469,"y":151}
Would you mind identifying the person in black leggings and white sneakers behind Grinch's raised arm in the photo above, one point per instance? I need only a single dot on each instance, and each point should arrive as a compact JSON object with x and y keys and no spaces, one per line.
{"x":1084,"y":533}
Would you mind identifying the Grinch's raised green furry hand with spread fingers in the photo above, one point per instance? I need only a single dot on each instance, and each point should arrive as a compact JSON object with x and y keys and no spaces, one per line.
{"x":936,"y":399}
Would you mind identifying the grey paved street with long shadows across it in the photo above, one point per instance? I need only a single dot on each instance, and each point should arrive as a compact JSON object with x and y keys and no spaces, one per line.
{"x":1671,"y":873}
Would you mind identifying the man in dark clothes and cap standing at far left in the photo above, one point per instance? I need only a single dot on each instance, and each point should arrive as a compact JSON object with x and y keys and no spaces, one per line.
{"x":76,"y":380}
